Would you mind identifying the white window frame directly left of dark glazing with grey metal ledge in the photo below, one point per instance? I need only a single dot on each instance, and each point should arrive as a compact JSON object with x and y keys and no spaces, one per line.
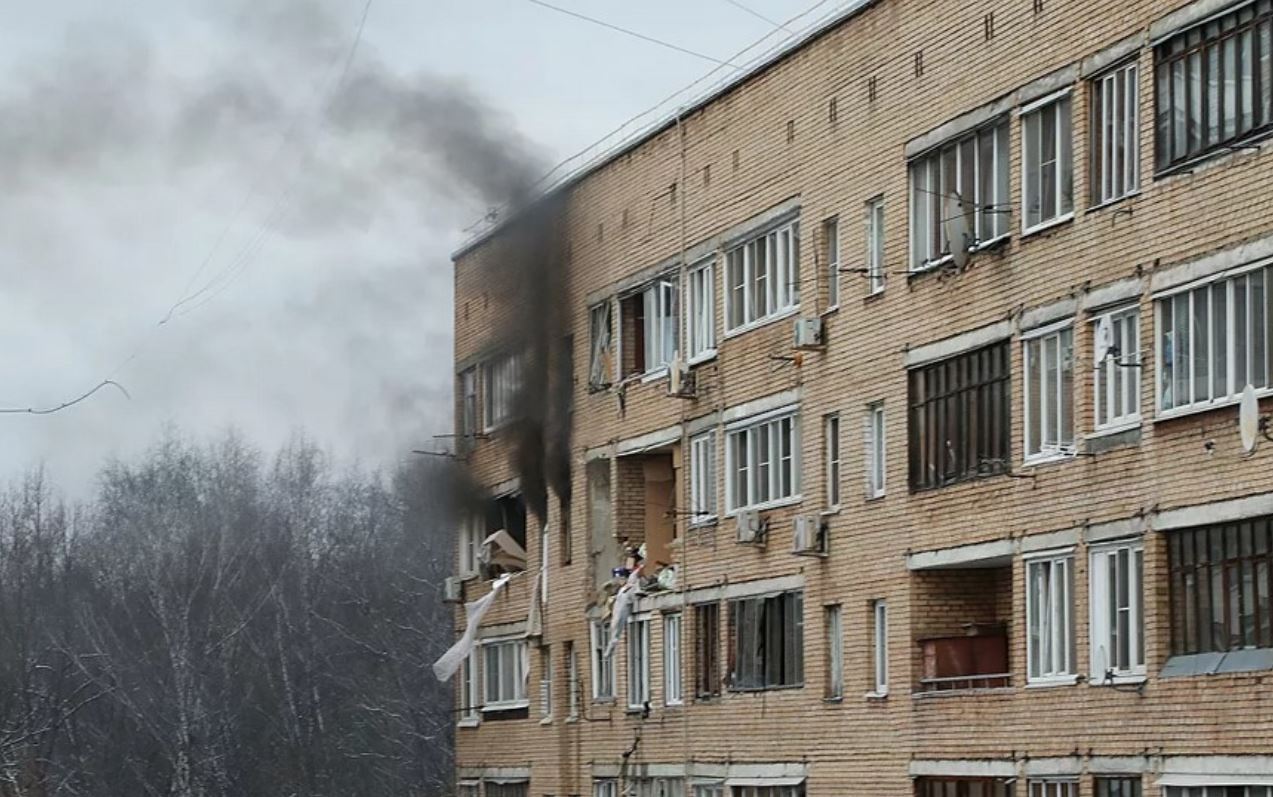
{"x":1104,"y":627}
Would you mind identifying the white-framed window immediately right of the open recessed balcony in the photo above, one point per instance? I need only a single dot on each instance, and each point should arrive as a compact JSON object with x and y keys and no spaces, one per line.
{"x":1051,"y":617}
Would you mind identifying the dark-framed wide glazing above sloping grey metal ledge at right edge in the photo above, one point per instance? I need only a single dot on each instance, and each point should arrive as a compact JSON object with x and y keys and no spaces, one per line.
{"x":1220,"y":588}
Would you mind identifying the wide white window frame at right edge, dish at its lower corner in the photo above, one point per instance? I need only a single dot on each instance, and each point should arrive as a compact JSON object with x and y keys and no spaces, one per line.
{"x":1191,"y":296}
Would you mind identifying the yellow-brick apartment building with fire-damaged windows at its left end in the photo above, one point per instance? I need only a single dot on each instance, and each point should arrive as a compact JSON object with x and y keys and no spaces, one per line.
{"x":906,"y":375}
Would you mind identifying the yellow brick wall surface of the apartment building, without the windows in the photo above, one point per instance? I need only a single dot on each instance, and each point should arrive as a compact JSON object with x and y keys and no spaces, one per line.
{"x":740,"y":161}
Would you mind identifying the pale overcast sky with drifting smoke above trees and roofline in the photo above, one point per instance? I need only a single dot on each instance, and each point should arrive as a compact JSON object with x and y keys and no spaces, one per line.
{"x":223,"y":157}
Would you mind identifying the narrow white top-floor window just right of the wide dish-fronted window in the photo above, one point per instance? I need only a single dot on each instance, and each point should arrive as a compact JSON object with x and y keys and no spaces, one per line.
{"x":1047,"y":173}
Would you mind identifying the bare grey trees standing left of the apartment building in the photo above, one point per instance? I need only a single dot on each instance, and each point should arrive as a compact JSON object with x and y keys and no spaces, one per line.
{"x":216,"y":622}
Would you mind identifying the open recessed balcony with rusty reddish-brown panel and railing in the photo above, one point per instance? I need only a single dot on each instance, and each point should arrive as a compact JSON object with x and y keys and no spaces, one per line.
{"x":962,"y":627}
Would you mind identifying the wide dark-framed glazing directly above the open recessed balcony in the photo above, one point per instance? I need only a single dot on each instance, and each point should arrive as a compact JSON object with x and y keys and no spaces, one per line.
{"x":960,"y":418}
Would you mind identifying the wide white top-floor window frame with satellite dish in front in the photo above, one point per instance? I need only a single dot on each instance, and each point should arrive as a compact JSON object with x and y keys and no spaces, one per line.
{"x":988,"y":215}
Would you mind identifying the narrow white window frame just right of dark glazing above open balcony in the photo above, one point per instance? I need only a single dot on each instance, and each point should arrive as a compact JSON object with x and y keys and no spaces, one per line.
{"x":1048,"y":393}
